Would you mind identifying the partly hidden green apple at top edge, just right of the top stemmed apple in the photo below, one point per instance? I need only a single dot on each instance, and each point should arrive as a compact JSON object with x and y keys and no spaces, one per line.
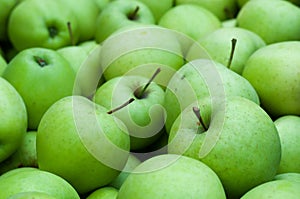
{"x":157,"y":7}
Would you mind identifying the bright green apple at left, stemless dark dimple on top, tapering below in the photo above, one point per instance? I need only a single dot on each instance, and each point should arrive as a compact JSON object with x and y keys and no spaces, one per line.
{"x":41,"y":76}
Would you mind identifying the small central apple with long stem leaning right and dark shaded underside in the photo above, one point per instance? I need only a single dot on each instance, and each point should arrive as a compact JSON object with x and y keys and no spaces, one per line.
{"x":145,"y":116}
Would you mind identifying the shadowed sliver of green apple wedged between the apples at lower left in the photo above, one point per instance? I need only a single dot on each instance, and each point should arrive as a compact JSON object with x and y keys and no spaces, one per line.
{"x":25,"y":156}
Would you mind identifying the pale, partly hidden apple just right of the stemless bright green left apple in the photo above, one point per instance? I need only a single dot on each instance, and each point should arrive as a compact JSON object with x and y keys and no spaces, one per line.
{"x":85,"y":63}
